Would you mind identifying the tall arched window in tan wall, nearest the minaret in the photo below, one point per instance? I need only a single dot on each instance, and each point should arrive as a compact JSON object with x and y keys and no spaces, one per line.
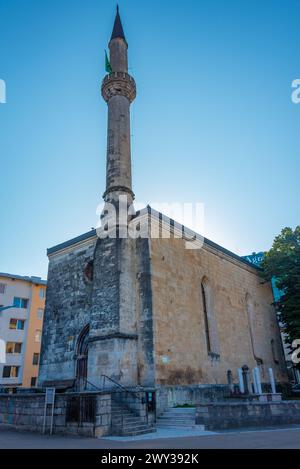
{"x":210,"y":324}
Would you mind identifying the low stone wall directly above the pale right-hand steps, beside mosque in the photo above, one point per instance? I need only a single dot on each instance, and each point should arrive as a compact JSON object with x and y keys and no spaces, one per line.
{"x":172,"y":396}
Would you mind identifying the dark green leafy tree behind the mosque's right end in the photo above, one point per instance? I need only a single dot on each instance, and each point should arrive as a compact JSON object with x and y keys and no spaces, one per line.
{"x":282,"y":262}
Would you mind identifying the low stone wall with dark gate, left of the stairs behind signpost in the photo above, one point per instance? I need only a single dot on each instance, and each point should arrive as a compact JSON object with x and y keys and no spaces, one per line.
{"x":25,"y":412}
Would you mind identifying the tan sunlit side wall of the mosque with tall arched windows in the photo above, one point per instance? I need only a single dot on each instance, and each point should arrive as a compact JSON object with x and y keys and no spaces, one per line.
{"x":182,"y":356}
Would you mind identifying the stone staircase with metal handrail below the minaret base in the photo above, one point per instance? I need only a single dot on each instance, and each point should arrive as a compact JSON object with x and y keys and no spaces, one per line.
{"x":125,"y":423}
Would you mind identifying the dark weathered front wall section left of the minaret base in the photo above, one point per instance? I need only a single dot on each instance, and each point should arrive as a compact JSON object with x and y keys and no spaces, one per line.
{"x":68,"y":306}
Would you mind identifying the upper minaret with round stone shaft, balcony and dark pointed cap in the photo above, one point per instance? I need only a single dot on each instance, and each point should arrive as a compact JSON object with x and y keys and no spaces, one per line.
{"x":118,"y":90}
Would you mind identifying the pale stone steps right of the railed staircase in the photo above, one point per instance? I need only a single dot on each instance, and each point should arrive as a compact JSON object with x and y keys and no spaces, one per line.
{"x":181,"y":417}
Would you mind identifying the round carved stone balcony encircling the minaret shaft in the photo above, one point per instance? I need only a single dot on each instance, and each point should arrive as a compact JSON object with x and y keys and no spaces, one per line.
{"x":118,"y":84}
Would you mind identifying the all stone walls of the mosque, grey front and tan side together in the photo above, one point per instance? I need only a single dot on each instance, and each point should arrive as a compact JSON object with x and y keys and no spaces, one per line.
{"x":145,"y":311}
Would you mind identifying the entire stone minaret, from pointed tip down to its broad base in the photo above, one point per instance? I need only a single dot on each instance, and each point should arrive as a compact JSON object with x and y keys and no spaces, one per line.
{"x":113,"y":338}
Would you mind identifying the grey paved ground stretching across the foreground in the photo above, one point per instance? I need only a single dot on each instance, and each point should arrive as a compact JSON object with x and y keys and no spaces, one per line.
{"x":286,"y":438}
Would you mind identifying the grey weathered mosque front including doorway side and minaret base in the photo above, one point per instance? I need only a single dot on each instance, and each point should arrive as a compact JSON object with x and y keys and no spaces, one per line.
{"x":116,"y":304}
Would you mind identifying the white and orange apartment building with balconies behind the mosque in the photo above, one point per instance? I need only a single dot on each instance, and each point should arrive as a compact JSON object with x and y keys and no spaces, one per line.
{"x":20,"y":329}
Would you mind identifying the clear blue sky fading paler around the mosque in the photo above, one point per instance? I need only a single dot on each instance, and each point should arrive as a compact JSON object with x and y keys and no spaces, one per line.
{"x":213,"y":121}
